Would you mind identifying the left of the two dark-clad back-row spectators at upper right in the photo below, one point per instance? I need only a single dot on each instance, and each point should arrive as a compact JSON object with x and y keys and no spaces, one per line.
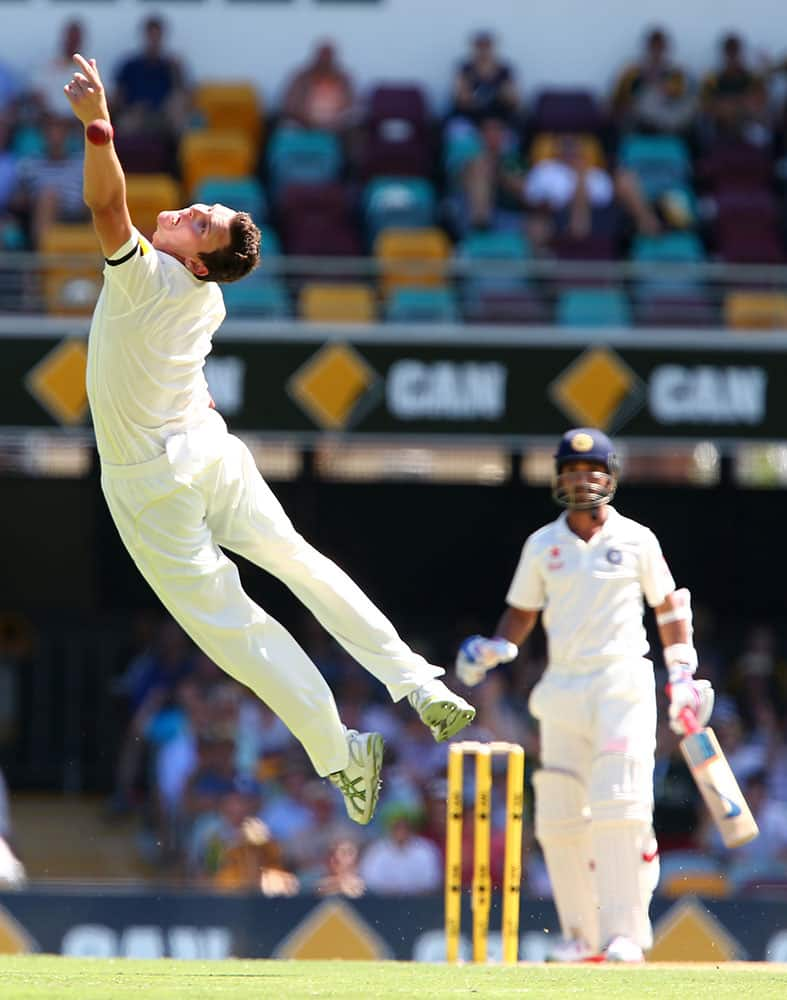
{"x":653,"y":94}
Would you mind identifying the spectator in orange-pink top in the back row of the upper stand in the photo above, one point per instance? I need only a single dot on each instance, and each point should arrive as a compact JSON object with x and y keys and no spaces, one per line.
{"x":320,"y":95}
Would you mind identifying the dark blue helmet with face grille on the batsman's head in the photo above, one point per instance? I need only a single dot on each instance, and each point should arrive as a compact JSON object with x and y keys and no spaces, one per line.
{"x":587,"y":490}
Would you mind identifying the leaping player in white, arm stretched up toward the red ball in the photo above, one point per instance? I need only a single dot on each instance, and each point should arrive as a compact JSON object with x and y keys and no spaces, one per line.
{"x":181,"y":489}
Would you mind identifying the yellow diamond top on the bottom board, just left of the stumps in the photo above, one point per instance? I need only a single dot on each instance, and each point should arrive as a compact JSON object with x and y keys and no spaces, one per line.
{"x":333,"y":930}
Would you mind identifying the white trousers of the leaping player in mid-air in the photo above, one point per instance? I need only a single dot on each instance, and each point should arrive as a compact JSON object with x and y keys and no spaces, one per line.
{"x":176,"y":512}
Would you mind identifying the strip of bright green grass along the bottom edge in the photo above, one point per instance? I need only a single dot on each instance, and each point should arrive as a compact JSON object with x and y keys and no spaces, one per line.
{"x":39,"y":977}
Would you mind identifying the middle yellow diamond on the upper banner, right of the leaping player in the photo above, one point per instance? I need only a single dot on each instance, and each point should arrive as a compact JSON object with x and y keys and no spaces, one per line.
{"x":333,"y":385}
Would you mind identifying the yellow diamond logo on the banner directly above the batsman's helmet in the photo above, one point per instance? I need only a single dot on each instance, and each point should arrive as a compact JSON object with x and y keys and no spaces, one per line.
{"x":598,"y":389}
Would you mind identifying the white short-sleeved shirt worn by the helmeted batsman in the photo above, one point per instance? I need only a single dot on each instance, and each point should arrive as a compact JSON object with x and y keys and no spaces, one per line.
{"x":591,"y":593}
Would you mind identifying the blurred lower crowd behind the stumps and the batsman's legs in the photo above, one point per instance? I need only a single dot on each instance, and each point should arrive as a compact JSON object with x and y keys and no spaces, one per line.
{"x":228,"y":799}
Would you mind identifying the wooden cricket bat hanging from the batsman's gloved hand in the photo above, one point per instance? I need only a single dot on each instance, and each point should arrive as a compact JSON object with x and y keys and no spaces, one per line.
{"x":716,"y":783}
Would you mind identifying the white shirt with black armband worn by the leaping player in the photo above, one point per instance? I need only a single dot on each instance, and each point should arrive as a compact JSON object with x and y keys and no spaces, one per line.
{"x":151,"y":332}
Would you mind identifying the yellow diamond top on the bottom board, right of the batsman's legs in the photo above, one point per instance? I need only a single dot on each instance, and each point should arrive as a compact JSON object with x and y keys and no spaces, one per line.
{"x":689,"y":933}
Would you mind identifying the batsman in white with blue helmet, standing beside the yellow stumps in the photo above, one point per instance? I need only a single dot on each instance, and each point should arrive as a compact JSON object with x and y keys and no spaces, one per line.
{"x":588,"y":573}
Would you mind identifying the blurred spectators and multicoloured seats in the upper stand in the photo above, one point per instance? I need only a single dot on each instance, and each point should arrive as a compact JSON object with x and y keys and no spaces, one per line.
{"x":665,"y":168}
